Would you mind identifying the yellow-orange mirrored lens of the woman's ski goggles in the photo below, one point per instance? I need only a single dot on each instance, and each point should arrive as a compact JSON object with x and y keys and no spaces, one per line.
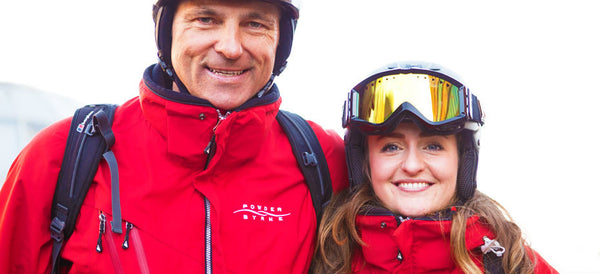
{"x":435,"y":98}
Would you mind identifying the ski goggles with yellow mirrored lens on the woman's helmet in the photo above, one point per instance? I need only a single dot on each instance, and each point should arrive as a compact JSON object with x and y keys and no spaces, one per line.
{"x":442,"y":104}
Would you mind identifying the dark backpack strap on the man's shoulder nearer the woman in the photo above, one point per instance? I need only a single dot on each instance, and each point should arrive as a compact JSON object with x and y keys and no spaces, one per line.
{"x":310,"y":157}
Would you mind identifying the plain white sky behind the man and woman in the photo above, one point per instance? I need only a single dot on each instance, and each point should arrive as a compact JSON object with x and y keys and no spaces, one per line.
{"x":533,"y":64}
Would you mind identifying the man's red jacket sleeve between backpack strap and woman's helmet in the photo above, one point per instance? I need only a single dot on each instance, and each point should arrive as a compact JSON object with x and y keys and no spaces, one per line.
{"x":333,"y":148}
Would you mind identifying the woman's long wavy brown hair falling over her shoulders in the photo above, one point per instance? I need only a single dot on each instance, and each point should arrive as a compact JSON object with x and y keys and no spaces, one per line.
{"x":338,"y":237}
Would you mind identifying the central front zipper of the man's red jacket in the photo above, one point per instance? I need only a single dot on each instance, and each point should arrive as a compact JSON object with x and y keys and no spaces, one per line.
{"x":210,"y":152}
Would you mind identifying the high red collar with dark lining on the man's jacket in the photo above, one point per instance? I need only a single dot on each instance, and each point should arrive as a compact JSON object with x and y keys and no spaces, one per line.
{"x":187,"y":123}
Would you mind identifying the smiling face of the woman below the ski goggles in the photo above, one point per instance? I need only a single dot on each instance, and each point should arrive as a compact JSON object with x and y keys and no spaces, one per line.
{"x":413,"y":173}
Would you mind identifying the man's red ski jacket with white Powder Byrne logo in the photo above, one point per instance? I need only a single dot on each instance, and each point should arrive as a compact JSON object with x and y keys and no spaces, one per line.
{"x":247,"y":210}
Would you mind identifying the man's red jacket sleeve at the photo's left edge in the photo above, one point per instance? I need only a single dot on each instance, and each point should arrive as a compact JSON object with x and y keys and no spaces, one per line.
{"x":25,"y":202}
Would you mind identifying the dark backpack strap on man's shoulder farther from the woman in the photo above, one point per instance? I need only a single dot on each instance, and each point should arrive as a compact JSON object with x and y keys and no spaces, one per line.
{"x":89,"y":138}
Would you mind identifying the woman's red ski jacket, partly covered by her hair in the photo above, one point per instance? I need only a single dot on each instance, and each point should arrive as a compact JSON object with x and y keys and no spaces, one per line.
{"x":418,"y":246}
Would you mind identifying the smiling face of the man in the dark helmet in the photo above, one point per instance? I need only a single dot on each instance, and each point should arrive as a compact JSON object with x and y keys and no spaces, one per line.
{"x":224,"y":51}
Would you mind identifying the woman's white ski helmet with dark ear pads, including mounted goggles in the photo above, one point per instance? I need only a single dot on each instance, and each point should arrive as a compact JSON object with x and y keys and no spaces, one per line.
{"x":390,"y":95}
